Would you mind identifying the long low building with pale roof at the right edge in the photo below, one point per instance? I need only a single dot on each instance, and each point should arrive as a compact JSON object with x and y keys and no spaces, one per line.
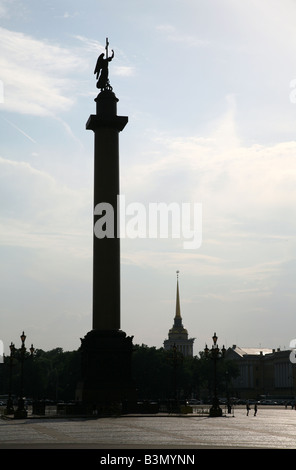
{"x":263,"y":373}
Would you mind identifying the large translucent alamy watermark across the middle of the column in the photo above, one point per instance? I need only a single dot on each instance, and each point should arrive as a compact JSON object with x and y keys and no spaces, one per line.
{"x":156,"y":220}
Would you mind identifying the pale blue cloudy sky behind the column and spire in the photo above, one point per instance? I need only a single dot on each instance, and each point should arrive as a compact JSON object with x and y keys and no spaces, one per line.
{"x":209,"y":87}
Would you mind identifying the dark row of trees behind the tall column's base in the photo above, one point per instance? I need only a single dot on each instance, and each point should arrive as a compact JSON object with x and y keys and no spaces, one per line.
{"x":157,"y":374}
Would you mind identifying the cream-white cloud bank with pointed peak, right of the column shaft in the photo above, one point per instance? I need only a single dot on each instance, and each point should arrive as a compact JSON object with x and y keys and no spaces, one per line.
{"x":223,"y":172}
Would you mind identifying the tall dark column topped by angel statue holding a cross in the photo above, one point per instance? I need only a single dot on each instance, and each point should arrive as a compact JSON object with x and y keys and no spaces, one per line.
{"x":106,"y":350}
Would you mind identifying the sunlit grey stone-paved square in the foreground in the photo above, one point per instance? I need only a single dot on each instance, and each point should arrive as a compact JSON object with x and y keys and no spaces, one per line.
{"x":270,"y":429}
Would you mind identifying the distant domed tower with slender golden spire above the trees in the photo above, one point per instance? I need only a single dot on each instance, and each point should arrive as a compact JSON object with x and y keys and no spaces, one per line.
{"x":178,"y":335}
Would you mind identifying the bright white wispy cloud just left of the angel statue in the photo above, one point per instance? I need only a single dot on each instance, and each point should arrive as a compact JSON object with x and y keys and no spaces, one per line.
{"x":38,"y":77}
